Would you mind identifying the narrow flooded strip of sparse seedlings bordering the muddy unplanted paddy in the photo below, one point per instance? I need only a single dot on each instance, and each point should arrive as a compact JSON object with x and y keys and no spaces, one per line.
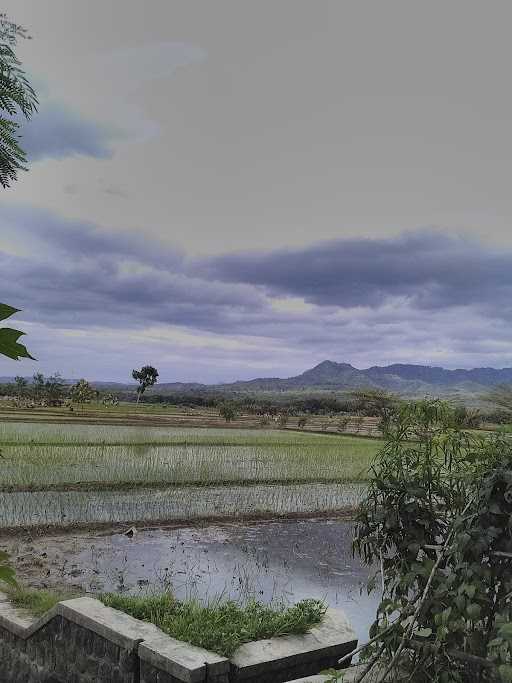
{"x":67,"y":508}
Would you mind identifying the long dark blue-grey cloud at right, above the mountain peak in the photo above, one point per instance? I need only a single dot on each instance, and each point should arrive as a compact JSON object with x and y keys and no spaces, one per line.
{"x":431,"y":269}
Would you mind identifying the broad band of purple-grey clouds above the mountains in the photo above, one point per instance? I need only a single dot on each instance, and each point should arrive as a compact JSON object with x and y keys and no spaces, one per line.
{"x":421,"y":297}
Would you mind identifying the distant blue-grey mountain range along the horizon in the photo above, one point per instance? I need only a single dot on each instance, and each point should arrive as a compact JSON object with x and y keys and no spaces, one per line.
{"x":401,"y":378}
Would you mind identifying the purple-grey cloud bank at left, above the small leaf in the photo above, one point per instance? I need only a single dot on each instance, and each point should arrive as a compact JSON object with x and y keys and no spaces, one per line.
{"x":77,"y":275}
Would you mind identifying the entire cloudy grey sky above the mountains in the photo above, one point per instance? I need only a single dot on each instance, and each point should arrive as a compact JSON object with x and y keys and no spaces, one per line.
{"x":235,"y":189}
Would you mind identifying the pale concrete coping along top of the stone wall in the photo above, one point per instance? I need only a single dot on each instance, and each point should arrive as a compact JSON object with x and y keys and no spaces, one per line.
{"x":186,"y":662}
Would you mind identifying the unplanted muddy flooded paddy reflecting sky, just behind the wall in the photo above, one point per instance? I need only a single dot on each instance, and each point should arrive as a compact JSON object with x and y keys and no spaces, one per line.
{"x":270,"y":561}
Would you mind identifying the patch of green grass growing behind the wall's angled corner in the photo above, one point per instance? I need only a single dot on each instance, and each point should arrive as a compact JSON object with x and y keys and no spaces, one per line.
{"x":220,"y":626}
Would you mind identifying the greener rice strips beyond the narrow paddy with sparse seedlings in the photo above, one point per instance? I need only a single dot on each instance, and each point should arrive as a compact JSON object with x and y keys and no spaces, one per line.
{"x":48,"y":457}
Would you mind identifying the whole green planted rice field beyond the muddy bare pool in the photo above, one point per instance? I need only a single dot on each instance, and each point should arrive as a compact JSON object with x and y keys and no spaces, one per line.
{"x":62,"y":474}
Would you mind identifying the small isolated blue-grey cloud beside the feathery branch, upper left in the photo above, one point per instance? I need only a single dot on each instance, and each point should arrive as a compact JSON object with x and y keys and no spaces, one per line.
{"x":56,"y":132}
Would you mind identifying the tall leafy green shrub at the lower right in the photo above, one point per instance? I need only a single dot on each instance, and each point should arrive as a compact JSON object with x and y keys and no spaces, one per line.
{"x":437,"y":525}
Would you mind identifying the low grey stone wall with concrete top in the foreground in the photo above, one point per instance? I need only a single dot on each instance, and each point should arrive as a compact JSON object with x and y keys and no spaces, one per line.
{"x":82,"y":641}
